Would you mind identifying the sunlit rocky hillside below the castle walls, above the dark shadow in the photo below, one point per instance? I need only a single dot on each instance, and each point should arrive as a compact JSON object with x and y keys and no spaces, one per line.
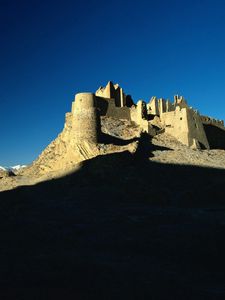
{"x":64,"y":154}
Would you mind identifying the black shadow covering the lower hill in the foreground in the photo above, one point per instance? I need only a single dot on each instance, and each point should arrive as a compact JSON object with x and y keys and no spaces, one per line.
{"x":120,"y":227}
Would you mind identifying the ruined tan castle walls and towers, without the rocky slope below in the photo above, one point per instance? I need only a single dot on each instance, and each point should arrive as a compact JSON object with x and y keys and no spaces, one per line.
{"x":159,"y":115}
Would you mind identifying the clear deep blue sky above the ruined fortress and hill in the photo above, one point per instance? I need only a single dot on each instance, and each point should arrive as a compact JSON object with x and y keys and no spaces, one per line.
{"x":51,"y":50}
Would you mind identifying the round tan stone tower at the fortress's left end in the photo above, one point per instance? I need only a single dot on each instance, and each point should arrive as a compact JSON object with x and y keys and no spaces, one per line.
{"x":86,"y":119}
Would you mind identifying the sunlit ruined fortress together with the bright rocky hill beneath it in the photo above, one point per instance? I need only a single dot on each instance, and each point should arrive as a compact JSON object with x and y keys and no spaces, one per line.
{"x":108,"y":122}
